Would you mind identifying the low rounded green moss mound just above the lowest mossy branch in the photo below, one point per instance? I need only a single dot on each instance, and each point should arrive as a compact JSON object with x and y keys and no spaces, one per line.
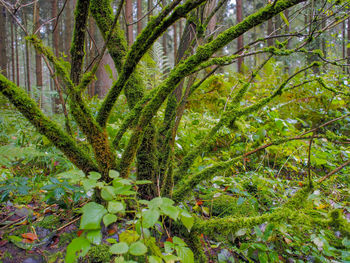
{"x":226,"y":205}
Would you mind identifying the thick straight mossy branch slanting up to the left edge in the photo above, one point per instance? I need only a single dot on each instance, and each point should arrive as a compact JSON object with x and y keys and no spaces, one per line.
{"x":45,"y":126}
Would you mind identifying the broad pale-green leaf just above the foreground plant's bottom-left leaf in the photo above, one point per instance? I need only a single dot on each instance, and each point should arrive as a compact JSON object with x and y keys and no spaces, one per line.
{"x":92,"y":216}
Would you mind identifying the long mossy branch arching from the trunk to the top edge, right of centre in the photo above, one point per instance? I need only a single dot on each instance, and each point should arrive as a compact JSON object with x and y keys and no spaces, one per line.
{"x":184,"y":68}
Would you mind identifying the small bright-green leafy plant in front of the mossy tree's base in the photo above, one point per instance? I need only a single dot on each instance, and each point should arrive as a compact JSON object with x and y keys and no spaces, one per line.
{"x":148,"y":220}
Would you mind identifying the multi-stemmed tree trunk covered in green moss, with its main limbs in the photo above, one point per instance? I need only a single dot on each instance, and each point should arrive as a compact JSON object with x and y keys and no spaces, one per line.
{"x":143,"y":105}
